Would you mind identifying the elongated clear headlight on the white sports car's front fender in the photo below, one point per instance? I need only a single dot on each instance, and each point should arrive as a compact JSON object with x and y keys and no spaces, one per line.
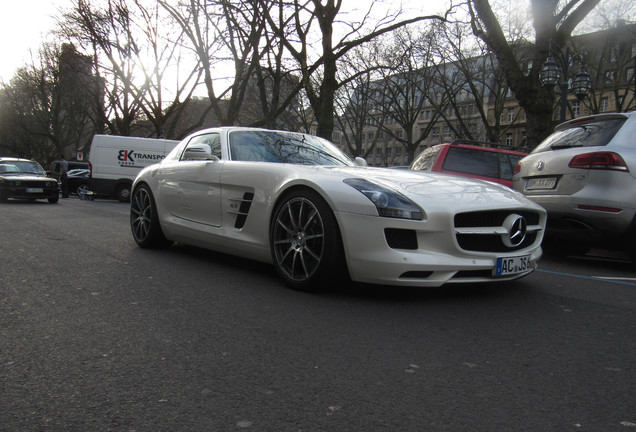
{"x":389,"y":203}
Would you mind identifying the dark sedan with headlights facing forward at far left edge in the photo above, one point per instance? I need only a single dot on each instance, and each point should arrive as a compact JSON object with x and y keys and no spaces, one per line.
{"x":26,"y":179}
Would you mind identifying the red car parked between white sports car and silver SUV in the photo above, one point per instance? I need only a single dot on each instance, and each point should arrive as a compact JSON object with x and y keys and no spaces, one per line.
{"x":483,"y":161}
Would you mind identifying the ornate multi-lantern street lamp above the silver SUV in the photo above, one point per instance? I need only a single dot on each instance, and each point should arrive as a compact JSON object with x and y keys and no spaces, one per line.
{"x":550,"y":75}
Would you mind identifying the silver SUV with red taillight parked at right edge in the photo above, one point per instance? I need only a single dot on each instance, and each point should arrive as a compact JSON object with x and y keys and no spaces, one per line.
{"x":583,"y":175}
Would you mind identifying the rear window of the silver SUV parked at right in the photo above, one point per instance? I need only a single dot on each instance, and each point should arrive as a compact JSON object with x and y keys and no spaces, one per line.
{"x":590,"y":134}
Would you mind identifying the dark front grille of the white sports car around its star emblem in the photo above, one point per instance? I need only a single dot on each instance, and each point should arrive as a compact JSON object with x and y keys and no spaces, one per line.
{"x":490,"y":231}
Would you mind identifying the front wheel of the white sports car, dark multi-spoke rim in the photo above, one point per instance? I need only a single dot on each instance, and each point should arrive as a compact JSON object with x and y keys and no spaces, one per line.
{"x":305,"y":241}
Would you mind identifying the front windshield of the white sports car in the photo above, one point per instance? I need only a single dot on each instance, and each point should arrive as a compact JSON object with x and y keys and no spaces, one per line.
{"x":285,"y":147}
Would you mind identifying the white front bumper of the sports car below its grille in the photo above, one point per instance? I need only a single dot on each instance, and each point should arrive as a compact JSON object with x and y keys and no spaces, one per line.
{"x":437,"y":260}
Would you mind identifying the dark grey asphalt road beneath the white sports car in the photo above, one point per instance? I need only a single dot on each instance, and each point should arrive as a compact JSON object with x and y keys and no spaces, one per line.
{"x":97,"y":335}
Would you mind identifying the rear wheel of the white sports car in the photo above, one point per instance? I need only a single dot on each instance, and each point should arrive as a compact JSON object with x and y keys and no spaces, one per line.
{"x":144,"y":221}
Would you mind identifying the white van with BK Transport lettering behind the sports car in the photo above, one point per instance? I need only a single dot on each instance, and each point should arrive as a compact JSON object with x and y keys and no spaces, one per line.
{"x":115,"y":161}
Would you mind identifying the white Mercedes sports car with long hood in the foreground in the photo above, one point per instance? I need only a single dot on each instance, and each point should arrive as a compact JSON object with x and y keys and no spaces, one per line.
{"x":298,"y":202}
